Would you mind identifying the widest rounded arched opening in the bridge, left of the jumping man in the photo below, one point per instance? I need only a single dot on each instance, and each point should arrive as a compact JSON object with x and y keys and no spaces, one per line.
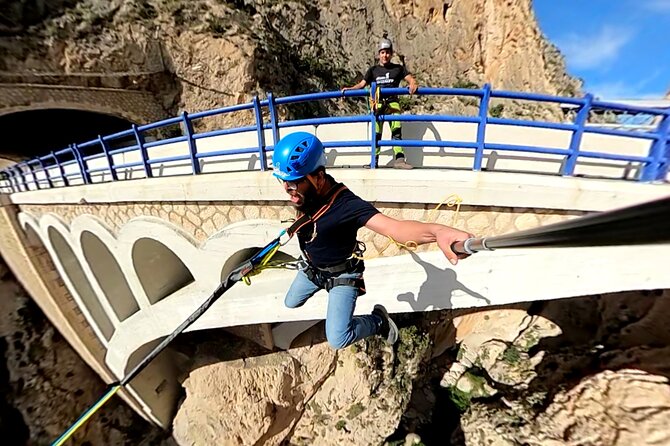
{"x":160,"y":271}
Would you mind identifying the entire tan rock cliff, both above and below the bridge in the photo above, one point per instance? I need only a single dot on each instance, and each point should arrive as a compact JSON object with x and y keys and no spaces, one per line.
{"x":590,"y":370}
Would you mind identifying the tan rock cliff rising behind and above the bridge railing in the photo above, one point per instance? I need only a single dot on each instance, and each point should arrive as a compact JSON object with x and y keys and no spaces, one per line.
{"x":223,"y":52}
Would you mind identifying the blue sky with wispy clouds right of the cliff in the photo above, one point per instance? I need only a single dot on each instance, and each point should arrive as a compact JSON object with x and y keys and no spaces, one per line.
{"x":621,"y":48}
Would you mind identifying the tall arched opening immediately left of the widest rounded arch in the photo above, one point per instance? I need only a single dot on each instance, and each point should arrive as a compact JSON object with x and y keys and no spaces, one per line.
{"x":109,"y":275}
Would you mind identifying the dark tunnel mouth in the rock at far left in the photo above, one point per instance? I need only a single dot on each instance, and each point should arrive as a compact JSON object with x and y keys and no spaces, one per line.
{"x":58,"y":128}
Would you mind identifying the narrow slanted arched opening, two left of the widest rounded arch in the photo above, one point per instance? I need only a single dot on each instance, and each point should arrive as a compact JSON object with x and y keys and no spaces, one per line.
{"x":82,"y":287}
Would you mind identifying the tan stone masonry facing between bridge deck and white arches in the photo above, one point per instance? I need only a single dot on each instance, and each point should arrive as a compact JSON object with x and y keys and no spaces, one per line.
{"x":204,"y":218}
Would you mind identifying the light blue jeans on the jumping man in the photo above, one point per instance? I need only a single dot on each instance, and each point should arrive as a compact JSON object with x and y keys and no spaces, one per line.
{"x":342,"y":328}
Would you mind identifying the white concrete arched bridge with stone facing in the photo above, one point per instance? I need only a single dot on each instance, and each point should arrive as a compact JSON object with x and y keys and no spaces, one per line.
{"x":117,"y":266}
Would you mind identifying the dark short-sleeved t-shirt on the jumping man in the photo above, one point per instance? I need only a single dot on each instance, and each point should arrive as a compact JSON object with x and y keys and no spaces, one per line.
{"x":334,"y":238}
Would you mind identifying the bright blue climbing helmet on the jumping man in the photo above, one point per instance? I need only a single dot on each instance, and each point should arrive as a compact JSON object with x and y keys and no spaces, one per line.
{"x":297,"y":155}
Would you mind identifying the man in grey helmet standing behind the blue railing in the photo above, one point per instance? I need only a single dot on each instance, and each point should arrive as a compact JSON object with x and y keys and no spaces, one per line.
{"x":388,"y":75}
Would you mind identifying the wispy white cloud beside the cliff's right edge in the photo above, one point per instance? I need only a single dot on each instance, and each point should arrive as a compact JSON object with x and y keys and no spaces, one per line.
{"x":587,"y":52}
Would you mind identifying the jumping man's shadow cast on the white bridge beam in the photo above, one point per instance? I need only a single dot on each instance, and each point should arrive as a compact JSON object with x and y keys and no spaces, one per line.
{"x":438,"y":288}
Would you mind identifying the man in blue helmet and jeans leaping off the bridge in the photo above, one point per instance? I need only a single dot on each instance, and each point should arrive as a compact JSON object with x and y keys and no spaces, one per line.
{"x":331,"y":216}
